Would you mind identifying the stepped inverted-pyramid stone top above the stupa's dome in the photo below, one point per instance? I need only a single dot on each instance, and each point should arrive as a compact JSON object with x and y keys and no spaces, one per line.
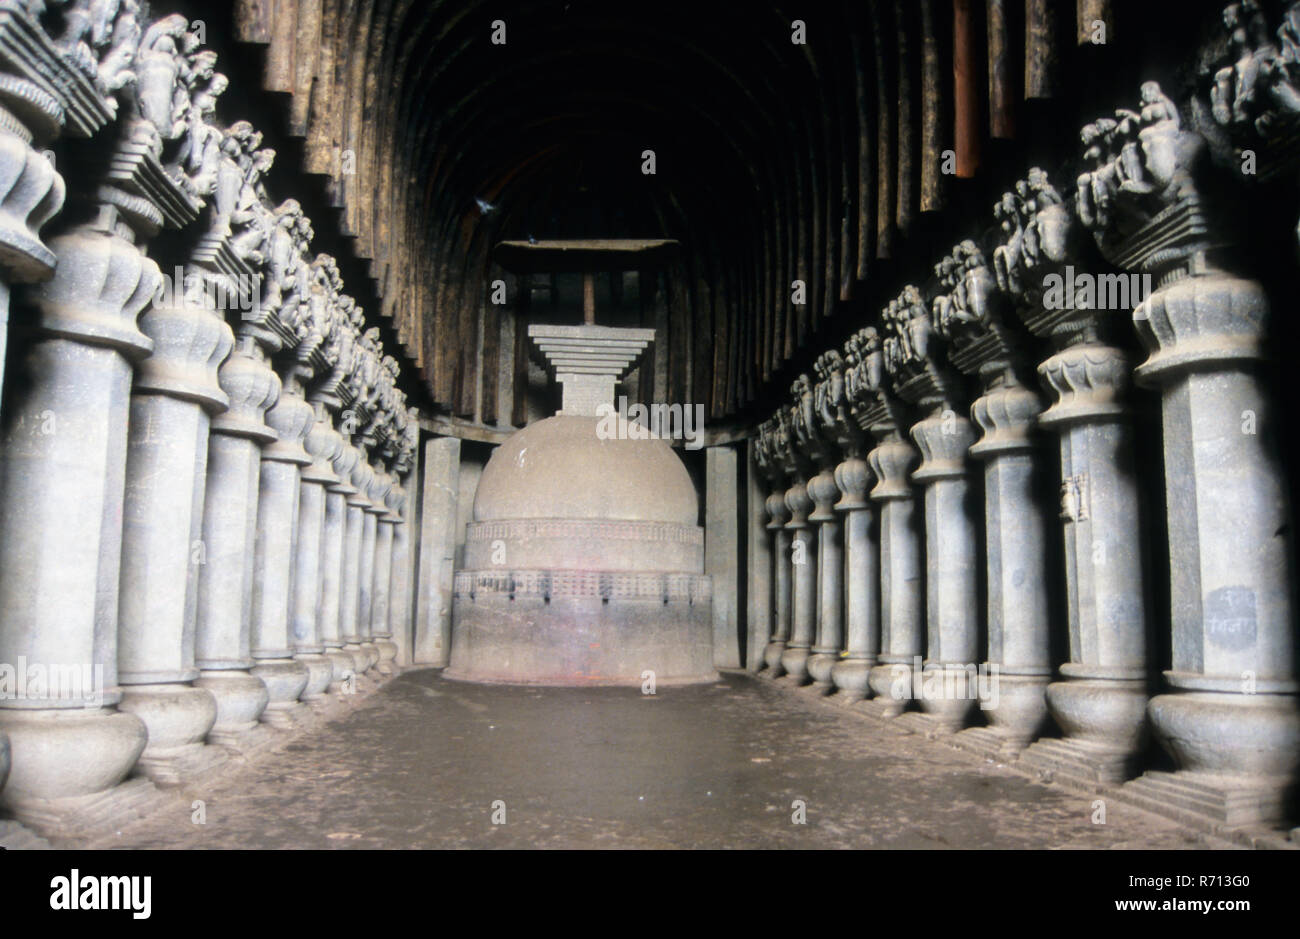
{"x":588,"y":362}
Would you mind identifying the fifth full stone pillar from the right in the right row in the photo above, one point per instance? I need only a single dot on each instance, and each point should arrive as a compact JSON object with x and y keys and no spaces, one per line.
{"x":902,"y":575}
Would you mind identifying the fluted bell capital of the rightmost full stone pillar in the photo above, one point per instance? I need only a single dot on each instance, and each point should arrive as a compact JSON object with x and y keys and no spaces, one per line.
{"x":1201,"y":323}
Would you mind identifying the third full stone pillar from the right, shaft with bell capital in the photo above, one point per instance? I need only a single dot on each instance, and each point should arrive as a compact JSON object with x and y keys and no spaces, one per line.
{"x":1016,"y":535}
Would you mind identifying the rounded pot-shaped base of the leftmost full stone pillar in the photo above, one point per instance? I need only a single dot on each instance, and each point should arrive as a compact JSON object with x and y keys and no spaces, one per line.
{"x":73,"y":754}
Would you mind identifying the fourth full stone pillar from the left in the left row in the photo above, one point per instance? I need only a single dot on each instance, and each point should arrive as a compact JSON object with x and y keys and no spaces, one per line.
{"x":278,"y":531}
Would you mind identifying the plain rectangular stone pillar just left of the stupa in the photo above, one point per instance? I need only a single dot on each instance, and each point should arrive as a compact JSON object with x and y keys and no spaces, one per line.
{"x":437,"y":551}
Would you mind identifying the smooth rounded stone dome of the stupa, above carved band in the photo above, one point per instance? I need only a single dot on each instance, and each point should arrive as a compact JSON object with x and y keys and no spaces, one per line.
{"x":562,"y":468}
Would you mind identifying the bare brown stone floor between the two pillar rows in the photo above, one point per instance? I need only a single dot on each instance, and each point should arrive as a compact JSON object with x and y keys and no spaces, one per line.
{"x":422,"y":763}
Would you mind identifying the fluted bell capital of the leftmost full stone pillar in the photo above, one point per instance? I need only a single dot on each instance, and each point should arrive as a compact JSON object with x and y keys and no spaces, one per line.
{"x":102,"y":284}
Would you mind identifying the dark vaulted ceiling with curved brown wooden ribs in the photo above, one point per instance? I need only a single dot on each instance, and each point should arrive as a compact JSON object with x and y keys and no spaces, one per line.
{"x":775,"y":161}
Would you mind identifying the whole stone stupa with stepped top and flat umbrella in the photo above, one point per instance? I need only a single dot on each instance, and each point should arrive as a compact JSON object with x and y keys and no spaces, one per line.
{"x":584,"y":561}
